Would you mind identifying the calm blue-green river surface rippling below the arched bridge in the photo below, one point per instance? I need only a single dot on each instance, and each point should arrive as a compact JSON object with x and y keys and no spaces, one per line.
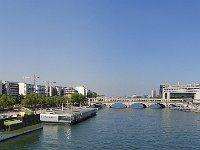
{"x":118,"y":129}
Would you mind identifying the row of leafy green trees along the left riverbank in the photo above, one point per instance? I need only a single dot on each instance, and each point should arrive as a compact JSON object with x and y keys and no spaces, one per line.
{"x":35,"y":100}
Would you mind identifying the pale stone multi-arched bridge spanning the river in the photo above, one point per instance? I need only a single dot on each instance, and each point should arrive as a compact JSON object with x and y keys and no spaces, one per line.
{"x":108,"y":101}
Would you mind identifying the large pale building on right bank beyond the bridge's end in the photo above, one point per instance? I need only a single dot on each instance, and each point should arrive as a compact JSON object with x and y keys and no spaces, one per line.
{"x":180,"y":91}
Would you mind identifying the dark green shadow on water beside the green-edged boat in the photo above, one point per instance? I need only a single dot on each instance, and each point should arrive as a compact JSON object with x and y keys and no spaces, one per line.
{"x":21,"y":142}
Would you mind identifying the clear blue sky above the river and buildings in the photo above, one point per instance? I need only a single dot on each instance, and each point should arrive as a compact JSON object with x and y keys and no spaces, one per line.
{"x":113,"y":47}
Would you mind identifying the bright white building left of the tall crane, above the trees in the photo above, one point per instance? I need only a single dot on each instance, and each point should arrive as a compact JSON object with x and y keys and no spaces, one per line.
{"x":25,"y":89}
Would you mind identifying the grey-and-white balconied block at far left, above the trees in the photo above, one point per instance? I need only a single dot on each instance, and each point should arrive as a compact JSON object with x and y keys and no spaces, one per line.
{"x":10,"y":88}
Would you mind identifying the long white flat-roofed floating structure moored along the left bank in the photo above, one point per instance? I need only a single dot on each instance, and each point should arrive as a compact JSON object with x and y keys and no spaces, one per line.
{"x":68,"y":116}
